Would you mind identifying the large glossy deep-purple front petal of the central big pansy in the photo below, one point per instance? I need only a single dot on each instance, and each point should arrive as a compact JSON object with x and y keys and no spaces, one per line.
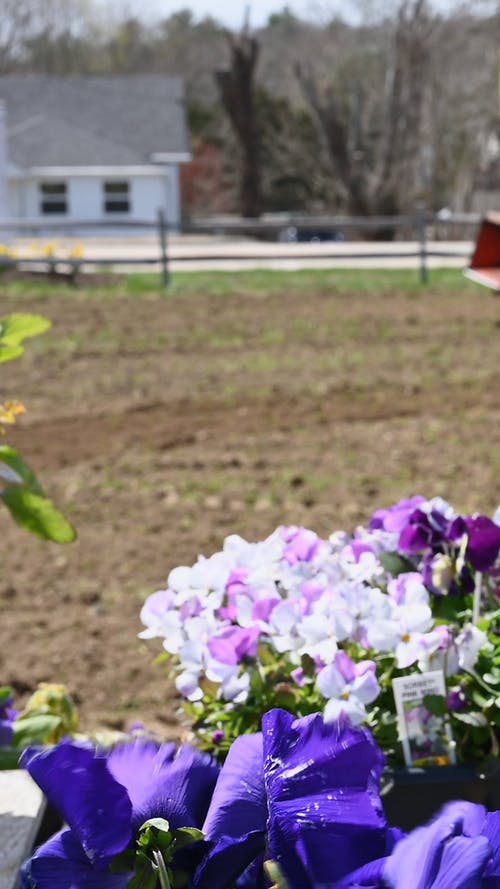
{"x":322,"y":786}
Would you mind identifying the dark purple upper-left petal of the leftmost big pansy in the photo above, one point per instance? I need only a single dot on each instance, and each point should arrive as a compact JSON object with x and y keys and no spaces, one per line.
{"x":74,"y":777}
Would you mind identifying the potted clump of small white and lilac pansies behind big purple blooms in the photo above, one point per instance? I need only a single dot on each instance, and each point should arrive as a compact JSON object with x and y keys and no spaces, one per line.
{"x":327,"y":625}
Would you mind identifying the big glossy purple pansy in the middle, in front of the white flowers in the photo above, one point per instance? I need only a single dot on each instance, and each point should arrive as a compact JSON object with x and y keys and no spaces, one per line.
{"x":303,"y":793}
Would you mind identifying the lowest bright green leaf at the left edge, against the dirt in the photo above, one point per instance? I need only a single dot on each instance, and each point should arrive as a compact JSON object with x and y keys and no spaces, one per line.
{"x":37,"y":514}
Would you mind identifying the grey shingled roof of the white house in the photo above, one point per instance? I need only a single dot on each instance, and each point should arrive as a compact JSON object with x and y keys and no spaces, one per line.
{"x":93,"y":121}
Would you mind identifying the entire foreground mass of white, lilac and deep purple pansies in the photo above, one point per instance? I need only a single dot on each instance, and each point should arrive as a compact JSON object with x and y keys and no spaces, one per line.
{"x":305,"y":665}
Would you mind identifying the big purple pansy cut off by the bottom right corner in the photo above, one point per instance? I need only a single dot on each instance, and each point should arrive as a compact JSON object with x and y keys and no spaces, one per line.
{"x":458,"y":849}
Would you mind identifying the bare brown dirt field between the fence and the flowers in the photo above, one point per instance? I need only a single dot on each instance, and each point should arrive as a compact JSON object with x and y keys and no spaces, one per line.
{"x":160,"y":425}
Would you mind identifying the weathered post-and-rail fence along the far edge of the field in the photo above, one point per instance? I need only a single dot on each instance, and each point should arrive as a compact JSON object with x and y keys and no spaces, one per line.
{"x":278,"y":228}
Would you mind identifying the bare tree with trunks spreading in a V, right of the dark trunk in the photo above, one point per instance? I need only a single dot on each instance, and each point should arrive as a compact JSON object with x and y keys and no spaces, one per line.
{"x":369,"y":112}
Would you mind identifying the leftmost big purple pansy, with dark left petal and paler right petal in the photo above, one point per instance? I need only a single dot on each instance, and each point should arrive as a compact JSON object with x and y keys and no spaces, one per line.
{"x":104,"y":798}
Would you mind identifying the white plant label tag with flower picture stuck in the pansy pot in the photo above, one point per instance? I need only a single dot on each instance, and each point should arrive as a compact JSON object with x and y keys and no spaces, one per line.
{"x":423,"y":725}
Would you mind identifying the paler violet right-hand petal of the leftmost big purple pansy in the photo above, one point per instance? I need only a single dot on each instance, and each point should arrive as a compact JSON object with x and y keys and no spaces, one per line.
{"x":180,"y":791}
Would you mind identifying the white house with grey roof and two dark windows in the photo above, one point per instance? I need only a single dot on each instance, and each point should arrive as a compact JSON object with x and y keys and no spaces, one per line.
{"x":86,"y":149}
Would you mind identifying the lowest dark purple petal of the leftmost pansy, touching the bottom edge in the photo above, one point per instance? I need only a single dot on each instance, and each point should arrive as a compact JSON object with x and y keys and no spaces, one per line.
{"x":61,"y":863}
